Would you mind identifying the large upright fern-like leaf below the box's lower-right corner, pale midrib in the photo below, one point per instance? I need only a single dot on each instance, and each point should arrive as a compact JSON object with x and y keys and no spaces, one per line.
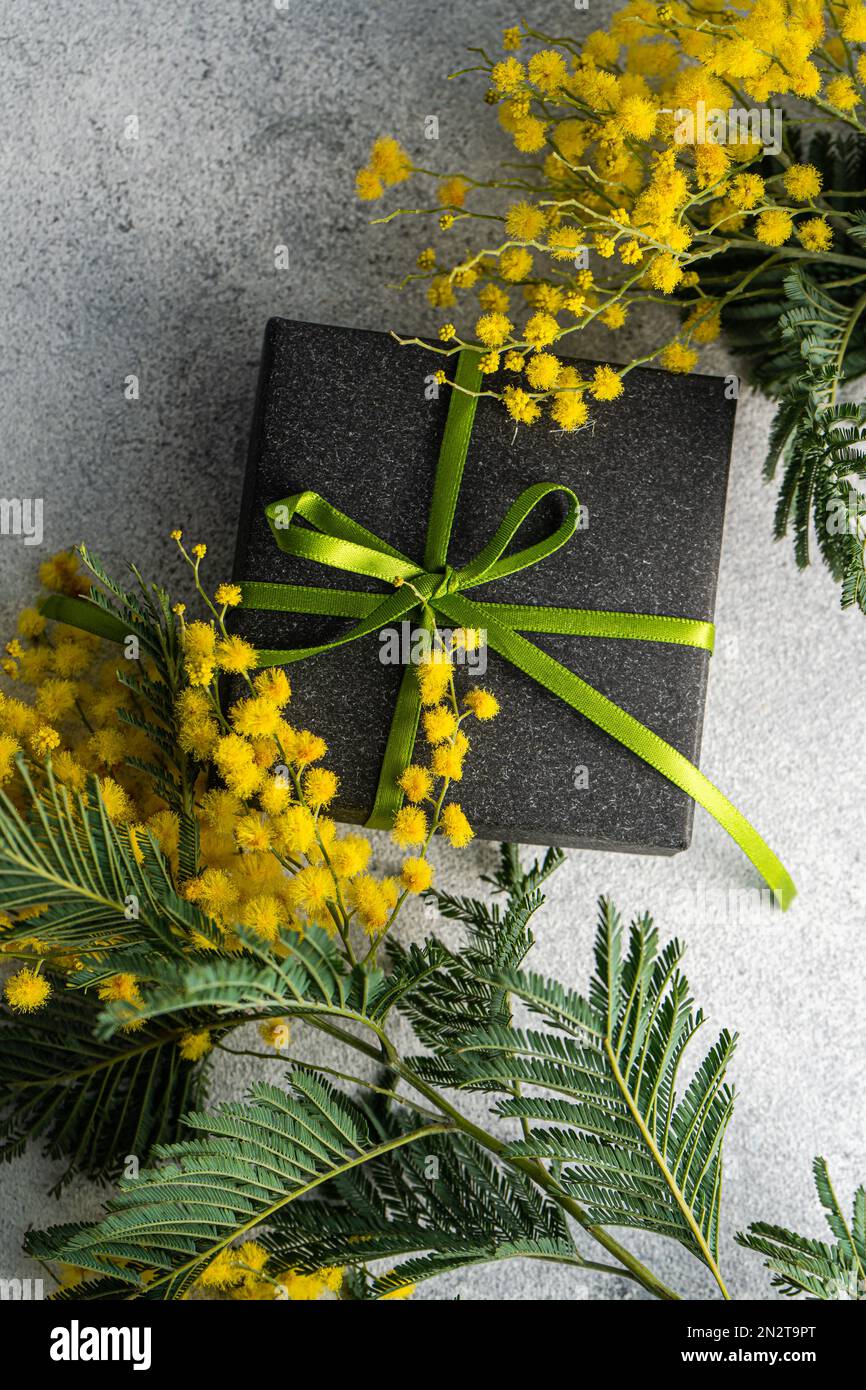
{"x":633,"y":1150}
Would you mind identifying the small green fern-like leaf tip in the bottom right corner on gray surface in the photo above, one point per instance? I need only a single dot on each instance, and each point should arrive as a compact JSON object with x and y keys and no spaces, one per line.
{"x":801,"y":1266}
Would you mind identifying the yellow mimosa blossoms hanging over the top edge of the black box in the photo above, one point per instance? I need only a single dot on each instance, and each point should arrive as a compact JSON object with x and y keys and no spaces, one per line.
{"x":628,"y":194}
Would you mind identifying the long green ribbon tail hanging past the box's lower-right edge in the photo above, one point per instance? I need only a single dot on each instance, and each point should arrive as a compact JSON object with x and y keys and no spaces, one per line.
{"x":629,"y":732}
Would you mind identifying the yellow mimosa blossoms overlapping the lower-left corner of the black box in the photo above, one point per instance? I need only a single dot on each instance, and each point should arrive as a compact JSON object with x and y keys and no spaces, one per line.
{"x":272,"y":860}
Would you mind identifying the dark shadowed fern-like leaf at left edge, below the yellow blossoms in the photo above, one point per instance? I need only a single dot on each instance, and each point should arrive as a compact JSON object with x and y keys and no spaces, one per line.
{"x":92,"y":1103}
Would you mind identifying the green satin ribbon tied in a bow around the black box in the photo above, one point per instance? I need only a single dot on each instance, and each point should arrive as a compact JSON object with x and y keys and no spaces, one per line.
{"x":439,"y":590}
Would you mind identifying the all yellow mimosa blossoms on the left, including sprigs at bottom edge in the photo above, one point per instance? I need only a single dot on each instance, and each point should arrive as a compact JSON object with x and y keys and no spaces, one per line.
{"x":270,"y":858}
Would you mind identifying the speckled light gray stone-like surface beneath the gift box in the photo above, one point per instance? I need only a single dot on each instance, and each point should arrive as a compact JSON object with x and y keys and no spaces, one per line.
{"x":156,"y":258}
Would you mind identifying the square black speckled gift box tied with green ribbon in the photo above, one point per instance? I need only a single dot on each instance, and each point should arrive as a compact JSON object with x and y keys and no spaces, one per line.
{"x":348,"y":414}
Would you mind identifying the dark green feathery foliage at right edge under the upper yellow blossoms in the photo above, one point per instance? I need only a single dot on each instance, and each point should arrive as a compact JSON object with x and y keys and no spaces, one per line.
{"x":804,"y":334}
